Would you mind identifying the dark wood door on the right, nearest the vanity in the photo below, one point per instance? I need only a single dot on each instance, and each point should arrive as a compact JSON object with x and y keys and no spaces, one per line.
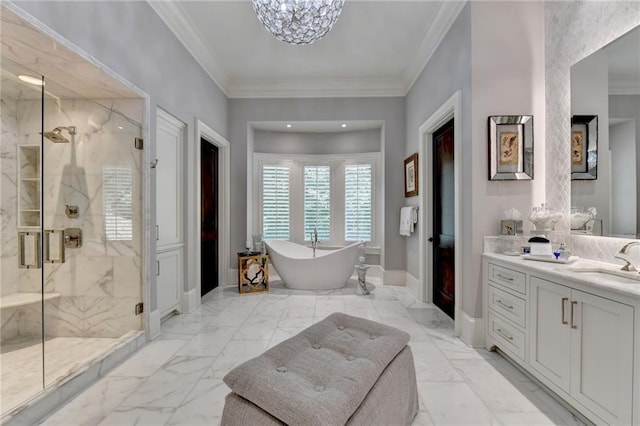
{"x":443,"y":219}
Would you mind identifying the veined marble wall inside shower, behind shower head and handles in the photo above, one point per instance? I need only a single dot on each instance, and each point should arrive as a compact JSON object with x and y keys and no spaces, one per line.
{"x":99,"y":283}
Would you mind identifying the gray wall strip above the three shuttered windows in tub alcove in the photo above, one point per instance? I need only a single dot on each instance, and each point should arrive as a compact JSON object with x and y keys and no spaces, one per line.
{"x":316,"y":143}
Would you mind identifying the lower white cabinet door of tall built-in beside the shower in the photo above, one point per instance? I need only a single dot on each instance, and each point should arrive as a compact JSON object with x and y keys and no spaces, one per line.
{"x":169,"y":280}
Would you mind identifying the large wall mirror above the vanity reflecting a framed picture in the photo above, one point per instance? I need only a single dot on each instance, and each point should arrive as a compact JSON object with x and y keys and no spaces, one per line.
{"x":605,"y":140}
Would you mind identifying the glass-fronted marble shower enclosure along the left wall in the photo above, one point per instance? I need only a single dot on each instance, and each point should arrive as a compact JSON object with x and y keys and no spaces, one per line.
{"x":71,"y":229}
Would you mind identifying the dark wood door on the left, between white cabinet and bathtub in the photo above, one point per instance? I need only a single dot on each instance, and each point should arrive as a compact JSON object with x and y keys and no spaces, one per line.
{"x":209,"y":216}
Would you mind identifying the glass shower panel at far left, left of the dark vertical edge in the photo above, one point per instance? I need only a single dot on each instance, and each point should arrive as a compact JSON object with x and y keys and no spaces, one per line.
{"x":21,"y":273}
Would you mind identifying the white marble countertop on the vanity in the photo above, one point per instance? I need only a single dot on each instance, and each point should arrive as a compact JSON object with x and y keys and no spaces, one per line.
{"x":583,"y":272}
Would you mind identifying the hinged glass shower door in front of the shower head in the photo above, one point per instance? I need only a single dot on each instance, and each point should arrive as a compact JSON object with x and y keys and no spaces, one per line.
{"x":91,"y":228}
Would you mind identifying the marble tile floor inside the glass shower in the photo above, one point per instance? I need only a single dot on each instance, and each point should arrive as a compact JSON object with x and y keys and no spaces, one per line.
{"x":21,"y":363}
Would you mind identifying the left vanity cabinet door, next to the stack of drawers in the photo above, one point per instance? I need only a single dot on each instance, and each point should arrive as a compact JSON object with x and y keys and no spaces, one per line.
{"x":550,"y":348}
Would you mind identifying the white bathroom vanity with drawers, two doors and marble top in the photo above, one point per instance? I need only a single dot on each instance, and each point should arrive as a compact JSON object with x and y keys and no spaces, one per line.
{"x":574,"y":327}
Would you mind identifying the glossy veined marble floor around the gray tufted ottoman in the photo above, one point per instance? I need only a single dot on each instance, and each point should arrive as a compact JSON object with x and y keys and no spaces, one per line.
{"x":177,"y":378}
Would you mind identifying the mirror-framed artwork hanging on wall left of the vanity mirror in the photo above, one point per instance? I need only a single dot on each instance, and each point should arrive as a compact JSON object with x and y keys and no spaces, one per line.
{"x":510,"y":147}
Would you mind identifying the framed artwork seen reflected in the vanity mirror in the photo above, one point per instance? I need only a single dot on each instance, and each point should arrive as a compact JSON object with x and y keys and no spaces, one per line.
{"x":584,"y":147}
